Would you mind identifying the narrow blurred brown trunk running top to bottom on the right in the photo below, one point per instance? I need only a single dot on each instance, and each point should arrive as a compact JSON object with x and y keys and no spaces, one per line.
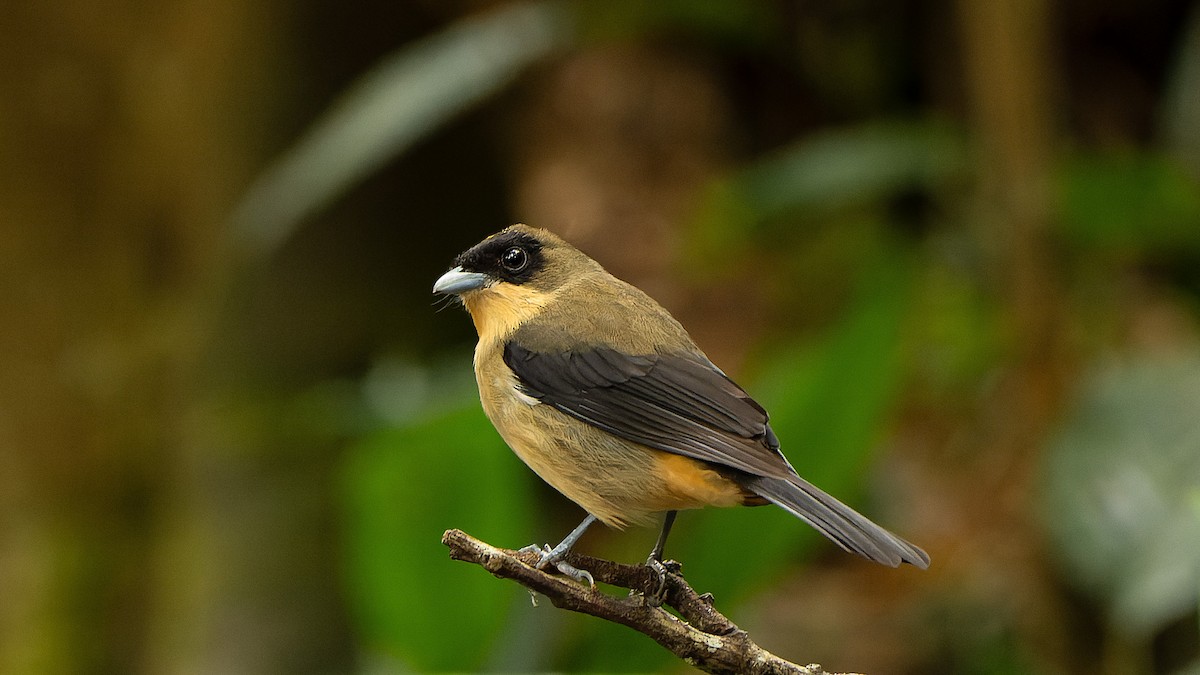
{"x":1013,"y":97}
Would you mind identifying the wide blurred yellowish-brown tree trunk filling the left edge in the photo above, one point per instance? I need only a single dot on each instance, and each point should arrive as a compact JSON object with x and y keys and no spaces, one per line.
{"x":127,"y":134}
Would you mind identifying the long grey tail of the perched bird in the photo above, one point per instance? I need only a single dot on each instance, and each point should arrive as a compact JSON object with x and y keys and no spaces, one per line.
{"x":842,"y":524}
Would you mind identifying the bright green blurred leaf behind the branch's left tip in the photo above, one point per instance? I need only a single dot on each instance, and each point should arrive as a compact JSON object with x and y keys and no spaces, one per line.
{"x":403,"y":488}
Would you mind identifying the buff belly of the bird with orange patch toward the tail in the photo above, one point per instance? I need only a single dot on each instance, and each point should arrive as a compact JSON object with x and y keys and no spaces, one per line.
{"x":617,"y":481}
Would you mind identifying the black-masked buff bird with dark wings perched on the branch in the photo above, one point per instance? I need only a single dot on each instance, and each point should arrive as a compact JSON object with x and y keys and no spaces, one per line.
{"x":604,"y":395}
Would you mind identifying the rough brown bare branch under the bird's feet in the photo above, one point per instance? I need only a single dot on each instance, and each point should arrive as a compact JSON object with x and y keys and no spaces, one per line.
{"x":705,"y":638}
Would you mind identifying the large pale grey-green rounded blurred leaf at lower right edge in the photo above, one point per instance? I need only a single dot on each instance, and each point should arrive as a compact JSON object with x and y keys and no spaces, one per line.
{"x":1121,"y":480}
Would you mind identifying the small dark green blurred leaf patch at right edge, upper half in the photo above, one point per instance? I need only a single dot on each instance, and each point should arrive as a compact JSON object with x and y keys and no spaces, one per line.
{"x":1132,"y":201}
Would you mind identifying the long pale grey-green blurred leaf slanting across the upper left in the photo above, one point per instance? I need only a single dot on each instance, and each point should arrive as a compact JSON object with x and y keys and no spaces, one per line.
{"x":405,"y":98}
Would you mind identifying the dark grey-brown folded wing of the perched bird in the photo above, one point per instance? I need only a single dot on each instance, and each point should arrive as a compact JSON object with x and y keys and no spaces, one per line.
{"x":675,"y":403}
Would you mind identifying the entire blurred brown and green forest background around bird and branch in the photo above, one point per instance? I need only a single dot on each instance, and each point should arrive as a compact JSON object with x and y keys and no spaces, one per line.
{"x":953,"y":247}
